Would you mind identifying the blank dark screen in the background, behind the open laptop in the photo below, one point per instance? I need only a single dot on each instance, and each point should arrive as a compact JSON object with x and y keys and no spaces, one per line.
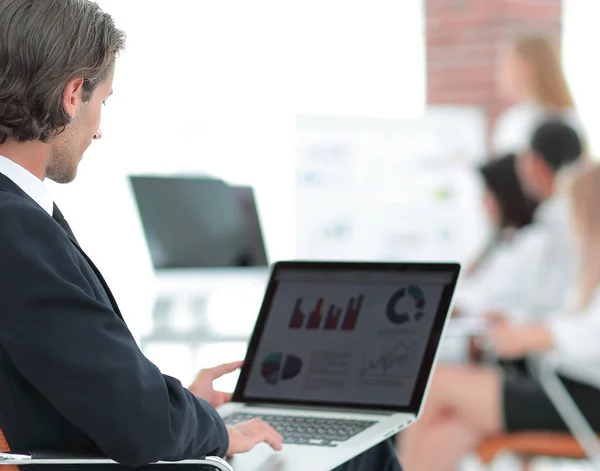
{"x":198,"y":222}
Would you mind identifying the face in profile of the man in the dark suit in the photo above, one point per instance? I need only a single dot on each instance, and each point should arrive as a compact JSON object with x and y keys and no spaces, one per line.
{"x":67,"y":148}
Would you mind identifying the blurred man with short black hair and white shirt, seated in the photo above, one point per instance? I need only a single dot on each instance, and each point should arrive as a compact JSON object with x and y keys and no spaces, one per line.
{"x":536,"y":276}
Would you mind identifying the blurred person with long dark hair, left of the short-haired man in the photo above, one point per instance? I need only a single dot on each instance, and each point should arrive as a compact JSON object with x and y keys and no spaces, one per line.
{"x":508,"y":209}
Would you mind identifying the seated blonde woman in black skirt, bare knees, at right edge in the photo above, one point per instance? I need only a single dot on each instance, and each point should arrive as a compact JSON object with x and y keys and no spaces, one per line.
{"x":468,"y":403}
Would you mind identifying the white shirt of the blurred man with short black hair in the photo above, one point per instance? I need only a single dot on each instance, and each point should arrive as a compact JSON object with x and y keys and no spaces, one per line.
{"x":531,"y":275}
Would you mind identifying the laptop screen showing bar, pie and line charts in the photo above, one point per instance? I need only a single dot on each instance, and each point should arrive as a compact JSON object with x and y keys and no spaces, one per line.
{"x":348,"y":334}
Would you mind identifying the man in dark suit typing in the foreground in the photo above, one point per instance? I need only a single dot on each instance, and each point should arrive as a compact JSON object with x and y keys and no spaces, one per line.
{"x":72,"y":378}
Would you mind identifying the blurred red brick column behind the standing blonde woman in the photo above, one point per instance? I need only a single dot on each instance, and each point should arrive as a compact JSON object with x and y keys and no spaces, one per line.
{"x":463,"y":39}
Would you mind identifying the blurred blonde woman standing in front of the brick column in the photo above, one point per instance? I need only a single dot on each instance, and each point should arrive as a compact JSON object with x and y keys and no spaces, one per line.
{"x":530,"y":75}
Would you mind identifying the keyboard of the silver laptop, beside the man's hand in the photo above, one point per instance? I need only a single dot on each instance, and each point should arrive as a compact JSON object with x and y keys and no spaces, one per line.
{"x":317,"y":431}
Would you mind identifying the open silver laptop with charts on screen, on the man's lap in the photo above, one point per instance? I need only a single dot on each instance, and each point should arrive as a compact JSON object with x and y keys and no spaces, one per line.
{"x":340,"y":359}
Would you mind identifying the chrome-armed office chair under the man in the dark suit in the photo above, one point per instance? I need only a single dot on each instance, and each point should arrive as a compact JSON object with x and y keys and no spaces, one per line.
{"x":12,"y":462}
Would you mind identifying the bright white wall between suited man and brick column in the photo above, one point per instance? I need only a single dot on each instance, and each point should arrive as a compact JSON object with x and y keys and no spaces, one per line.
{"x":214,"y":86}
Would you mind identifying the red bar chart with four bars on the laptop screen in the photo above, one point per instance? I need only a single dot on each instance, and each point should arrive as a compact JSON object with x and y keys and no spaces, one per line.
{"x":326,"y":316}
